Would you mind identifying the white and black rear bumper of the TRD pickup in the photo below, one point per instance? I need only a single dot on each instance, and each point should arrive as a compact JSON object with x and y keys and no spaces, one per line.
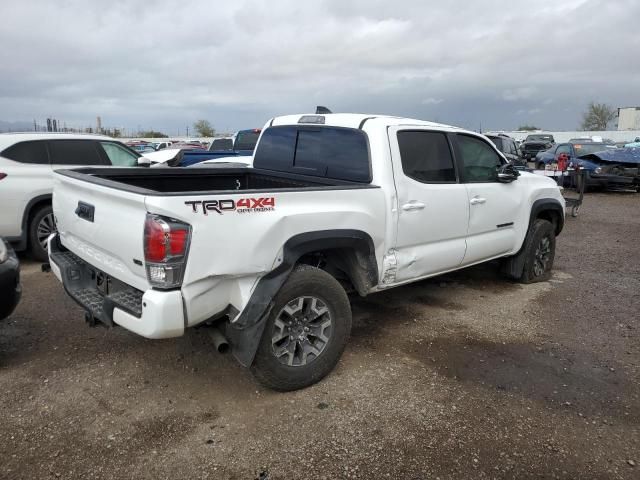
{"x":152,"y":314}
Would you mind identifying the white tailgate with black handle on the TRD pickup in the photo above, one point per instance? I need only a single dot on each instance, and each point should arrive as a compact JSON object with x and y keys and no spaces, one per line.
{"x":104,"y":226}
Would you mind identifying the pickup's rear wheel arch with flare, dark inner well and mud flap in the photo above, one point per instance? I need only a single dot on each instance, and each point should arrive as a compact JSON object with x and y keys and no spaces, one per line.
{"x":353,"y":250}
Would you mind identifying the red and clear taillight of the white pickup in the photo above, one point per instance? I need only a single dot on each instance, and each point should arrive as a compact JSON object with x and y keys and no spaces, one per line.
{"x":166,"y":244}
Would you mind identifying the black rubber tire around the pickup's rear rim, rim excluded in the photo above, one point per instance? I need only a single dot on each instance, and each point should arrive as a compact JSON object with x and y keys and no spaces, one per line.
{"x":304,"y":281}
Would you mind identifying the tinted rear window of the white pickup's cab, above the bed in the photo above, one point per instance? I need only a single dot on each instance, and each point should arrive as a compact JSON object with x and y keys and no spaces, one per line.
{"x":330,"y":152}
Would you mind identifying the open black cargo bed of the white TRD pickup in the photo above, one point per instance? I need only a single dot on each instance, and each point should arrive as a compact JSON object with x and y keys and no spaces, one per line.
{"x":177,"y":181}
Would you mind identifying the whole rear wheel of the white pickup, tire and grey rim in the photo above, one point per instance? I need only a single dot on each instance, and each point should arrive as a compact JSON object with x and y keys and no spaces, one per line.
{"x":306,"y":331}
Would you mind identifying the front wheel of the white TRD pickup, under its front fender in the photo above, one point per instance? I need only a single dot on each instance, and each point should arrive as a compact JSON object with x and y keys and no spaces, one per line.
{"x":541,"y":234}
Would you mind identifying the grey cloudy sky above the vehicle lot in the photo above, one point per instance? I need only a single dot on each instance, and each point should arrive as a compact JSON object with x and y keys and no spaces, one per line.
{"x":164,"y":64}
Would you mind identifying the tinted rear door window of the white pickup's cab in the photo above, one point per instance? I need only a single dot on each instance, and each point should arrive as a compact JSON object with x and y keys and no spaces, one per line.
{"x":426,"y":156}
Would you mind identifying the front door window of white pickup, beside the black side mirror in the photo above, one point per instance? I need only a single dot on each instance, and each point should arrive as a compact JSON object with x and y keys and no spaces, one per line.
{"x":478,"y":160}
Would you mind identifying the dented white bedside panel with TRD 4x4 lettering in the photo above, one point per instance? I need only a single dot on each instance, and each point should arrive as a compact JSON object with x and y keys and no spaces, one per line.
{"x":232,"y":250}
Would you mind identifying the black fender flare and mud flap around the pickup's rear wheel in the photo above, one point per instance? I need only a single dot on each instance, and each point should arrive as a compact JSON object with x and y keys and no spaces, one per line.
{"x":245,"y":333}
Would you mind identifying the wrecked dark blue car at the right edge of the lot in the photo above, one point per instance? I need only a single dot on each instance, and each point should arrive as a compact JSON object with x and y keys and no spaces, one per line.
{"x":605,"y":167}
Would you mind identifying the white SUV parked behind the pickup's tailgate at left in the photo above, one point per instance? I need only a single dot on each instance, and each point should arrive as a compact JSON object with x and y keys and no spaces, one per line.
{"x":27,"y":162}
